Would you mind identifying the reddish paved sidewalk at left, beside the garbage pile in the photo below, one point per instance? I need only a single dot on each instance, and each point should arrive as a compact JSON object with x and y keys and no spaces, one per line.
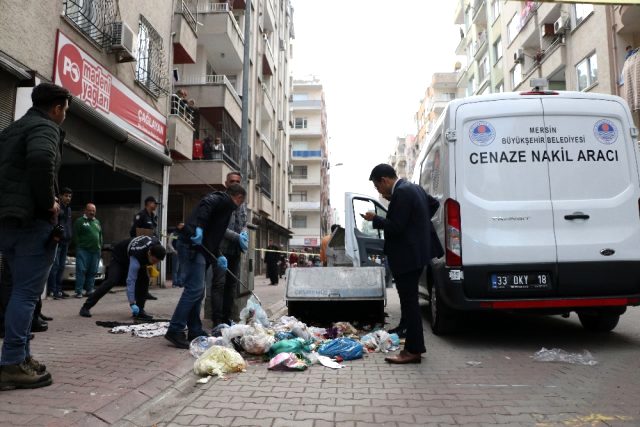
{"x":99,"y":377}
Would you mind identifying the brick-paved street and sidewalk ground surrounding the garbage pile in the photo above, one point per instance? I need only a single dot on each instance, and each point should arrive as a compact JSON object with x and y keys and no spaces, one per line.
{"x":103,"y":379}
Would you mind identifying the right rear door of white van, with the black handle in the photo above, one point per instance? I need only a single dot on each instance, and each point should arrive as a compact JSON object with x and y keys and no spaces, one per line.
{"x":594,"y":193}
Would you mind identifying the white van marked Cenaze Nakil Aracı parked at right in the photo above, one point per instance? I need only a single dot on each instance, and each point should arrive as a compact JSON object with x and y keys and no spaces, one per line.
{"x":540,"y":207}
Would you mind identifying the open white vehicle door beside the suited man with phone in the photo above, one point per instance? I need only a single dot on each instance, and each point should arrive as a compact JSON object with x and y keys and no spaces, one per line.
{"x":364,"y":244}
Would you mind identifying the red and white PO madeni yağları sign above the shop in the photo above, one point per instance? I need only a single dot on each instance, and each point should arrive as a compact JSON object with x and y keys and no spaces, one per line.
{"x":89,"y":81}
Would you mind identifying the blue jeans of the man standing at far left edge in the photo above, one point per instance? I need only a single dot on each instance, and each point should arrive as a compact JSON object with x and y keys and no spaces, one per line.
{"x":30,"y":256}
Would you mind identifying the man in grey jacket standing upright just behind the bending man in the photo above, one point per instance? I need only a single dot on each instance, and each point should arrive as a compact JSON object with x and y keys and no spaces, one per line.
{"x":234,"y":243}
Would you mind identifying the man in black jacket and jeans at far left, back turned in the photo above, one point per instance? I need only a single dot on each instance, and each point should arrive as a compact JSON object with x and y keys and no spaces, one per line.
{"x":30,"y":156}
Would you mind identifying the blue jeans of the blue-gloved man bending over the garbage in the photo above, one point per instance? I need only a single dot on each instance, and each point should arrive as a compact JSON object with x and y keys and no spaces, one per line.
{"x":187,"y":313}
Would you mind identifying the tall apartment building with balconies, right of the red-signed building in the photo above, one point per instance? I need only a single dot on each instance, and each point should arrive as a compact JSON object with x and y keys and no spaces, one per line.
{"x":210,"y":78}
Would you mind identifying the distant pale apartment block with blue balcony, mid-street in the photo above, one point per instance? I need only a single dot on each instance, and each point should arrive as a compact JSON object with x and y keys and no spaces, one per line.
{"x":309,"y":207}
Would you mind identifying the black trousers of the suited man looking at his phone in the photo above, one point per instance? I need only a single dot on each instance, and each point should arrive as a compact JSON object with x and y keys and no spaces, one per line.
{"x":407,"y":285}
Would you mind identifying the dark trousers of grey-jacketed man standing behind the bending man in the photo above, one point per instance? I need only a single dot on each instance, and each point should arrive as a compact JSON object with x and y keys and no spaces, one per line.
{"x":223,"y":290}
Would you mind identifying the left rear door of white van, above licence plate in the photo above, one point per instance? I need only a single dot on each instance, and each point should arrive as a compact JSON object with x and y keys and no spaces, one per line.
{"x":505,"y":202}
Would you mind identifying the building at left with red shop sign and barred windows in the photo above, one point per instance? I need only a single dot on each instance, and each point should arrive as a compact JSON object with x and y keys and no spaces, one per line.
{"x":114,"y":59}
